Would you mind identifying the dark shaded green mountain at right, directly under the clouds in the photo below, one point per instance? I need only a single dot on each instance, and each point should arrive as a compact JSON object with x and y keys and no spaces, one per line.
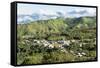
{"x":81,"y":22}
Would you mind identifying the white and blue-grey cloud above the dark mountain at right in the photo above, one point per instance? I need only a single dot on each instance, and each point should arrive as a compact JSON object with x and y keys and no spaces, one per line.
{"x":81,"y":11}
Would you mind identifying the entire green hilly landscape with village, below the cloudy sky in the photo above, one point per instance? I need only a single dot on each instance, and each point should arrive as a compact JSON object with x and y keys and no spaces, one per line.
{"x":56,"y":40}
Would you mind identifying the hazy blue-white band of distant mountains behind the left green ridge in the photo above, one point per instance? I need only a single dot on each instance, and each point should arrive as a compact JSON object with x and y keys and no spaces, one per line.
{"x":37,"y":16}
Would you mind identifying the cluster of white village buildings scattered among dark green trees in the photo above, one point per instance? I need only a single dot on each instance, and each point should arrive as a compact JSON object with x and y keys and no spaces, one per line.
{"x":63,"y":45}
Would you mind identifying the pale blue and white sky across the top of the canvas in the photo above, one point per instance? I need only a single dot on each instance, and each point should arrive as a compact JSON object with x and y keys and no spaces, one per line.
{"x":67,"y":11}
